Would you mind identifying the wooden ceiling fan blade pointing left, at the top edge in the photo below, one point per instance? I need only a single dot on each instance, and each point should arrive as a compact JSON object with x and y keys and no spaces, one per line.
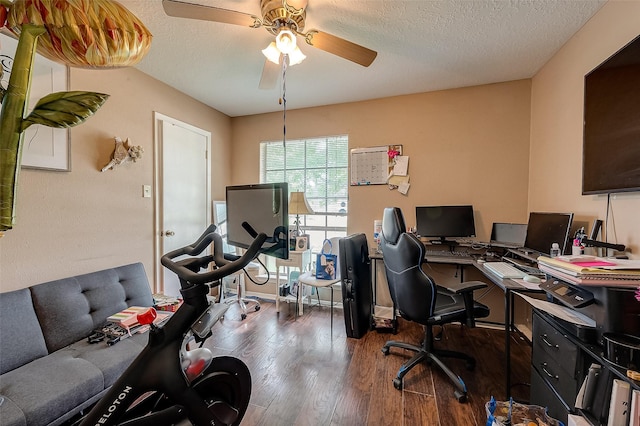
{"x":208,"y":13}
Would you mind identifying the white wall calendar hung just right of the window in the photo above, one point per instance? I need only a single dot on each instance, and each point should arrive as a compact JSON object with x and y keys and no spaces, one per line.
{"x":372,"y":166}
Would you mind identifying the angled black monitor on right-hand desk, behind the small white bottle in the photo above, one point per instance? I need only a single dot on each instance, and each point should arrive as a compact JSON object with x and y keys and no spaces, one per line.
{"x":544,"y":229}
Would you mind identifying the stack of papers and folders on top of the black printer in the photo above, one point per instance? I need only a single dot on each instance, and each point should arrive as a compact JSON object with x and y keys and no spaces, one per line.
{"x":591,"y":270}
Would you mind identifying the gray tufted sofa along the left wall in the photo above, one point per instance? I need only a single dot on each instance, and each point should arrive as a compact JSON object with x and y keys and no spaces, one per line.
{"x":49,"y":372}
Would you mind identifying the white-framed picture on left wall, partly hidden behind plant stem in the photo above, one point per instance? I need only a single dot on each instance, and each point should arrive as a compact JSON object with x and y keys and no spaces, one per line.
{"x":43,"y":147}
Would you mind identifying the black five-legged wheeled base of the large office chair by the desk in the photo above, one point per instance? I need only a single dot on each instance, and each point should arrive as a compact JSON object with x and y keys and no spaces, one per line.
{"x":427,"y":353}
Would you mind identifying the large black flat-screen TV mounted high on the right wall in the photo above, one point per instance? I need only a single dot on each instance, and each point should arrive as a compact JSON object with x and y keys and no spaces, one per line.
{"x":611,"y":146}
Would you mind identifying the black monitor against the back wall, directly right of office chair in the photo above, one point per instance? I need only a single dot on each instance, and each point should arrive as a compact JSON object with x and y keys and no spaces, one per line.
{"x":444,"y":222}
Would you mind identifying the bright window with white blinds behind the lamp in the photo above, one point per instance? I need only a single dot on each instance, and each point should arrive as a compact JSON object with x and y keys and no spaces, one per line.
{"x":318,"y":167}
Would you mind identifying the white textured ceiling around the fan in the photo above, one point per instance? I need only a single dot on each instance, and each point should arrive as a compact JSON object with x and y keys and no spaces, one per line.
{"x":422,"y":46}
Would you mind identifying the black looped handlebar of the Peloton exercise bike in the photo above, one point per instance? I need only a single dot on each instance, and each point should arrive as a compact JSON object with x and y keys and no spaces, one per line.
{"x":224,"y":268}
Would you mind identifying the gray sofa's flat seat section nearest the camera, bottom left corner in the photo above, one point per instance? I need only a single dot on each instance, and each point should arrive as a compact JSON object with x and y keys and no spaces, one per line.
{"x":50,"y":387}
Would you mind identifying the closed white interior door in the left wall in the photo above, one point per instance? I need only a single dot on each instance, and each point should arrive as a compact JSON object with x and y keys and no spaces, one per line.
{"x":183,"y":176}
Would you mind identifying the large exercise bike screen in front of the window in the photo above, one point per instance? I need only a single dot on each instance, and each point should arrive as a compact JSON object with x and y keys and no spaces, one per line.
{"x":262,"y":208}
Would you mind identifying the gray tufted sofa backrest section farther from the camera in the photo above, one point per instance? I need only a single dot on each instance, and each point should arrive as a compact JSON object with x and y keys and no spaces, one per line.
{"x":69,"y":309}
